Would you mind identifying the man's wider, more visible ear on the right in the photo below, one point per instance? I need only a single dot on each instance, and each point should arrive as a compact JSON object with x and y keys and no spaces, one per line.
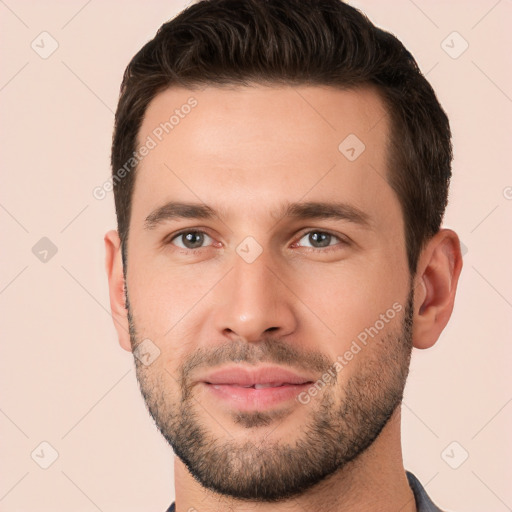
{"x":435,"y":285}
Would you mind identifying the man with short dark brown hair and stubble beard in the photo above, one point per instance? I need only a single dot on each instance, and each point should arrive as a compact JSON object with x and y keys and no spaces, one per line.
{"x":280,"y":170}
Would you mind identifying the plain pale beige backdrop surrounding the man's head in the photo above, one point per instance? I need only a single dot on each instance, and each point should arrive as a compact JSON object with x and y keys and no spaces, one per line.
{"x":64,"y":378}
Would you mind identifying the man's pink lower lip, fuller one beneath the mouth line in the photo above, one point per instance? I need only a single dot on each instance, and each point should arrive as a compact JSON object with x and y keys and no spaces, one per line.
{"x":251,"y":398}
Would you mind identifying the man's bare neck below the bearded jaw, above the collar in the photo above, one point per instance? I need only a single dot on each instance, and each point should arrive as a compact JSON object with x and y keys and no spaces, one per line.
{"x":374,"y":482}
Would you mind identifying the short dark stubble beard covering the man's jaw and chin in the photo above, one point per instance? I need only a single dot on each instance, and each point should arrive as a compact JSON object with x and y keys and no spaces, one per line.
{"x":265,"y":469}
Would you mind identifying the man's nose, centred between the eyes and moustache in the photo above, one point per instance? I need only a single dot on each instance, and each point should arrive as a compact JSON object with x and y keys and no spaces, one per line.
{"x":253,"y":301}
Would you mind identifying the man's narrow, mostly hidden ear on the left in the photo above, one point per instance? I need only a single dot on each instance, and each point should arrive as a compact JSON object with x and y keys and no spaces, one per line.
{"x":114,"y":267}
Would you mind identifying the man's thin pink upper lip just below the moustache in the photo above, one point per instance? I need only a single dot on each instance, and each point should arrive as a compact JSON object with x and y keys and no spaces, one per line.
{"x":249,"y":377}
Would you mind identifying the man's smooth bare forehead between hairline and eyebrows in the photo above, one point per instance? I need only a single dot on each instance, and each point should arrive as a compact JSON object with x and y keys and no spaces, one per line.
{"x":253,"y":147}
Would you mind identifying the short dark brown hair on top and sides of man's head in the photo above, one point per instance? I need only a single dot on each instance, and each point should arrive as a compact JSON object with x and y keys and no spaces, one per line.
{"x":296,"y":42}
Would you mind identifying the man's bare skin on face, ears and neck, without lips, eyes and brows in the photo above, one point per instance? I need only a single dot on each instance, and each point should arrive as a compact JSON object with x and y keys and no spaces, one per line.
{"x":245,"y":151}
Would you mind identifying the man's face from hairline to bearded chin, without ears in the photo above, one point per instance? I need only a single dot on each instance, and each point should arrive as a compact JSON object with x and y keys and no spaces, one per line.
{"x":255,"y":285}
